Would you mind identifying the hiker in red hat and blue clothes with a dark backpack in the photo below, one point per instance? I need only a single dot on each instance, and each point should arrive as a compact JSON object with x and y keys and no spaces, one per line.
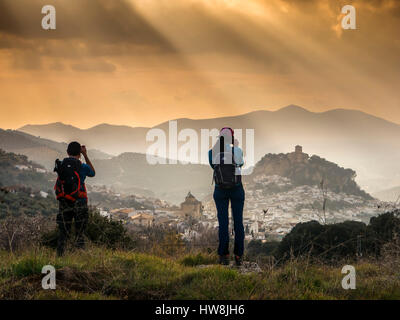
{"x":226,"y":158}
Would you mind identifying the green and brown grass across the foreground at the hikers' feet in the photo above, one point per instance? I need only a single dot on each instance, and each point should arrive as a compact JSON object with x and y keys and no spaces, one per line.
{"x":99,"y":273}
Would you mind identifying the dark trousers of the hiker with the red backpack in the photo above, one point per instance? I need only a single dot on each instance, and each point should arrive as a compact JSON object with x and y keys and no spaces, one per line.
{"x":68,"y":212}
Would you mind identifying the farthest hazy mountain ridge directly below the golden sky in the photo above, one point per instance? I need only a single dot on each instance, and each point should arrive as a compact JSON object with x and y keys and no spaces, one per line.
{"x":351,"y":138}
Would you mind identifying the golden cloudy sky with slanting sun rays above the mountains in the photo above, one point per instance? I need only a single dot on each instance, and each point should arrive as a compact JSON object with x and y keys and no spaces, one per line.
{"x":142,"y":62}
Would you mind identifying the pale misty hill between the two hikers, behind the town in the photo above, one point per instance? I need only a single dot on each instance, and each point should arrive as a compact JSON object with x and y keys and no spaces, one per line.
{"x":131,"y":173}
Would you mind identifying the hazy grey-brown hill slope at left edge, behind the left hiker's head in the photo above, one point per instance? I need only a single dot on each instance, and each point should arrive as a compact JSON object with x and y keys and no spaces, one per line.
{"x":39,"y":150}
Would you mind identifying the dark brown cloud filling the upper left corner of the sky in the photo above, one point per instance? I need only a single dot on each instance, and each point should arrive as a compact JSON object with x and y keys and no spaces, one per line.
{"x":101,"y":20}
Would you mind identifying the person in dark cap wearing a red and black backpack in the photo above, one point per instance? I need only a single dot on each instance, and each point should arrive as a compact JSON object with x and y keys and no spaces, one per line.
{"x":71,"y":193}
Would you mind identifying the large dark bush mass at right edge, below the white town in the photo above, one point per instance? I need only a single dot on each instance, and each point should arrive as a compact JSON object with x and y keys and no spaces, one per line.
{"x":341,"y":240}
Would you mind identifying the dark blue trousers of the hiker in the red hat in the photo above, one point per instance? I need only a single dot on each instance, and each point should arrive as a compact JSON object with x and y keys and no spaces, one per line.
{"x":236,"y":197}
